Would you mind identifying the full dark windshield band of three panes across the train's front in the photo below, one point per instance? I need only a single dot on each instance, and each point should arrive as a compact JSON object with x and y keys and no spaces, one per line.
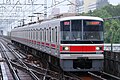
{"x":81,"y":30}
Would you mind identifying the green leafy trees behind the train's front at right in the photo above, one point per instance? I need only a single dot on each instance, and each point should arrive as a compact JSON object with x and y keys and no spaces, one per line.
{"x":111,"y":27}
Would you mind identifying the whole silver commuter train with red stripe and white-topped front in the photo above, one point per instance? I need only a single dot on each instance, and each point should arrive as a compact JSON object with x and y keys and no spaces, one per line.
{"x":75,"y":43}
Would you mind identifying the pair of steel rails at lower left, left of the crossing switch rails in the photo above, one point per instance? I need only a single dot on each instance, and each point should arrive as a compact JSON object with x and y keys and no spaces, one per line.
{"x":10,"y":63}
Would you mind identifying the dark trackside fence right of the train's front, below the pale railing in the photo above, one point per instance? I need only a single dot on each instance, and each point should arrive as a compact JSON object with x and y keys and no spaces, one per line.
{"x":112,"y":63}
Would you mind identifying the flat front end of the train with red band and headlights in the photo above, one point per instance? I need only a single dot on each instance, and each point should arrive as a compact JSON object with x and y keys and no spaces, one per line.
{"x":81,"y":45}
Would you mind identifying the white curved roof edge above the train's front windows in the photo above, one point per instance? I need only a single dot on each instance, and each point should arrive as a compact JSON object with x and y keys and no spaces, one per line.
{"x":81,"y":17}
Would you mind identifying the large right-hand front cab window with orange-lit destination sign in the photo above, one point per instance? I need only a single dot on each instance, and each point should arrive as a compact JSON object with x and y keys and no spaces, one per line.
{"x":92,"y":30}
